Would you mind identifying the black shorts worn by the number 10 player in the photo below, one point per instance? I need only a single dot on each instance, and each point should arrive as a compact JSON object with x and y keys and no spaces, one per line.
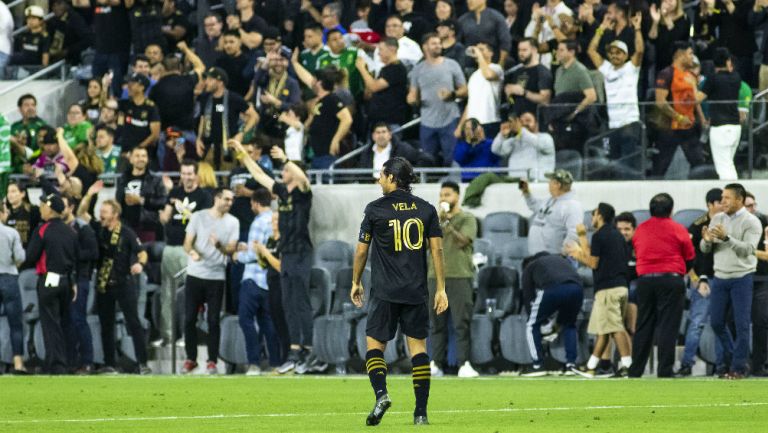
{"x":384,"y":316}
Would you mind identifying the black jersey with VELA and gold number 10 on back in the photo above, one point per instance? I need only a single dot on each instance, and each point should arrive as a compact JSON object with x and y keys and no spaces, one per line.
{"x":399,"y":226}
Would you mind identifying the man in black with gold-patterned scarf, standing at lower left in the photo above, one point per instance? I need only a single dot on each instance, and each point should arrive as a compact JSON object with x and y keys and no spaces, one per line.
{"x":119,"y":264}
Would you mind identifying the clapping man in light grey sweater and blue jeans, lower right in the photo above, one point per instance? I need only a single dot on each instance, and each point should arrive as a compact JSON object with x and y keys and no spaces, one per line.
{"x":733,"y":236}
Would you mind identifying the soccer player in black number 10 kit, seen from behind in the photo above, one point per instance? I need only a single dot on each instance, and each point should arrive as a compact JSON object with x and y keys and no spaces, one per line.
{"x":398,"y":225}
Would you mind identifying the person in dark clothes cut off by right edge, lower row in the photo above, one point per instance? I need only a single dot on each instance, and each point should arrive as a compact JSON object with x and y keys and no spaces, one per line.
{"x":759,"y":298}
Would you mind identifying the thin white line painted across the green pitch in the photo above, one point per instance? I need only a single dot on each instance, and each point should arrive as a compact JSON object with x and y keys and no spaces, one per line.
{"x":451,"y":411}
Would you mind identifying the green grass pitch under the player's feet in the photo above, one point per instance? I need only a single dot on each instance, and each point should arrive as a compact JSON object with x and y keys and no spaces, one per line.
{"x":340,"y":404}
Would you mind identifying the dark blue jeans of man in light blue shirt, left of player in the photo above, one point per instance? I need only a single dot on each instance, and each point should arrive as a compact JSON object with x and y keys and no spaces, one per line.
{"x":254,"y":303}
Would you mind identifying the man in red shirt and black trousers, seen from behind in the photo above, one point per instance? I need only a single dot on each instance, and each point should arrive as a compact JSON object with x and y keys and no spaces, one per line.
{"x":664,"y":254}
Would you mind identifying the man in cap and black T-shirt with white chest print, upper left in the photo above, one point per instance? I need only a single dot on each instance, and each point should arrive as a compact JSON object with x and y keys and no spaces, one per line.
{"x":138,"y":118}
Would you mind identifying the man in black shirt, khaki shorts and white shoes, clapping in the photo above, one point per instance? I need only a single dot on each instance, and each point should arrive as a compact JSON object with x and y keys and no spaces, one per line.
{"x":607,"y":257}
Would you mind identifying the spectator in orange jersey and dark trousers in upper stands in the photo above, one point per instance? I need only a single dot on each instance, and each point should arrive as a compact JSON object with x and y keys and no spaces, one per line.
{"x":676,"y":100}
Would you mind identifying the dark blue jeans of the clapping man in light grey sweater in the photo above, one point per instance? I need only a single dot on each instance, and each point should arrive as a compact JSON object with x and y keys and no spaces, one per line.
{"x":736,"y":292}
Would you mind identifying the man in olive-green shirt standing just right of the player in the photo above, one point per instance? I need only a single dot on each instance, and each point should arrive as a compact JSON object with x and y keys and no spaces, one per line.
{"x":459,"y":231}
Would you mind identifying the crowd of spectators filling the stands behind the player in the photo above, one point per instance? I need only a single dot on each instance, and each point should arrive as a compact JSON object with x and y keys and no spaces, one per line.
{"x":257,"y":87}
